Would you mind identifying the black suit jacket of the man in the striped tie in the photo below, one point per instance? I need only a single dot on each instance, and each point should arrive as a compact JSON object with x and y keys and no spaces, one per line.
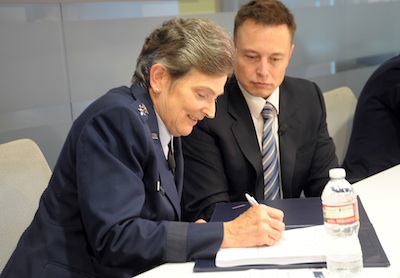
{"x":223,"y":158}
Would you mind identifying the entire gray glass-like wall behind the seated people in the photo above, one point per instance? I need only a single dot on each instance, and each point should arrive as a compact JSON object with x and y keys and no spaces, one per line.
{"x":56,"y":58}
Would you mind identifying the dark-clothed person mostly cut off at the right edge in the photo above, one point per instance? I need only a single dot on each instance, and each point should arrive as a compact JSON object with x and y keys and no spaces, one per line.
{"x":375,"y":139}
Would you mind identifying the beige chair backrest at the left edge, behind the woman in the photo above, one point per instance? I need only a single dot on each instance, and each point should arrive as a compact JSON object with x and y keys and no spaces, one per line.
{"x":24,"y":174}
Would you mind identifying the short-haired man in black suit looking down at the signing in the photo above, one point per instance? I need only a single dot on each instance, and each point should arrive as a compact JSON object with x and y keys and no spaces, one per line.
{"x":223,"y":157}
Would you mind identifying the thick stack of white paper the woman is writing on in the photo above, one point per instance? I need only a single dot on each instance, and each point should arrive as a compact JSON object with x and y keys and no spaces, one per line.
{"x":302,"y":245}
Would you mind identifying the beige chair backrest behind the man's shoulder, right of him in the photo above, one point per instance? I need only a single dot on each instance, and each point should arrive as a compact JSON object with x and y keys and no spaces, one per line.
{"x":340,"y":108}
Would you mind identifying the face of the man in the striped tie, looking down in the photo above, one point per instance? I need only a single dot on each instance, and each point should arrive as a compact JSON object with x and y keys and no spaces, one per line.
{"x":262,"y":56}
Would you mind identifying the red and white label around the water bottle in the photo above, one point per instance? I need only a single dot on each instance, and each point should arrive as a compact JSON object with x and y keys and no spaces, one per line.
{"x":346,"y":214}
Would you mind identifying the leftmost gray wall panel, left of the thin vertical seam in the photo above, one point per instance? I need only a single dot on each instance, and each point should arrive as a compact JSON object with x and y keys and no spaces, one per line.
{"x":33,"y":76}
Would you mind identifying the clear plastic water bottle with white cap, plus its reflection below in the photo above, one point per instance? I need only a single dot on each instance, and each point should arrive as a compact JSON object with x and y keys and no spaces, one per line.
{"x":341,"y":221}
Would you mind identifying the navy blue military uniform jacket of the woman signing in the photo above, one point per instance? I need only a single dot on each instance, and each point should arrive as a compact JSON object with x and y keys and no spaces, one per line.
{"x":102,"y":214}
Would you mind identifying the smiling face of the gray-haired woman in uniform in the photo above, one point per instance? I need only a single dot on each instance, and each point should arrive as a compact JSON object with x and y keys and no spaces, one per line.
{"x":183,"y":102}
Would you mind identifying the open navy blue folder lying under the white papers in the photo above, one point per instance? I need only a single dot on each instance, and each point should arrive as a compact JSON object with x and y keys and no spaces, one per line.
{"x":300,"y":212}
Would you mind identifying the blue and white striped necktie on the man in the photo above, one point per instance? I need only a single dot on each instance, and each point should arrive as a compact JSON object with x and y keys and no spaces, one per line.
{"x":269,"y":156}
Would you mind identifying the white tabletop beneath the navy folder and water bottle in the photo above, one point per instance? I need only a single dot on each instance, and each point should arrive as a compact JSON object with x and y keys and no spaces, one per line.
{"x":380,"y":195}
